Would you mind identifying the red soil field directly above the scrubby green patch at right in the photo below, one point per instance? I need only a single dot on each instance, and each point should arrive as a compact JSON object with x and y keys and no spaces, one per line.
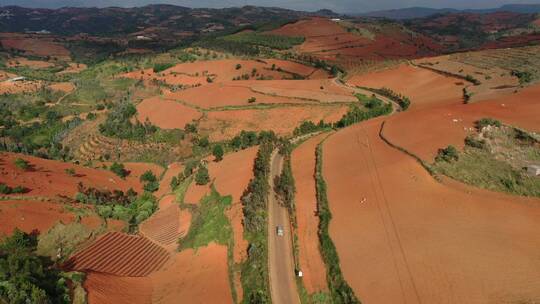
{"x":452,"y":123}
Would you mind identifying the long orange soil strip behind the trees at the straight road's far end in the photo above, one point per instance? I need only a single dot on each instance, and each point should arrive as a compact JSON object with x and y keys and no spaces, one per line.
{"x":227,"y":124}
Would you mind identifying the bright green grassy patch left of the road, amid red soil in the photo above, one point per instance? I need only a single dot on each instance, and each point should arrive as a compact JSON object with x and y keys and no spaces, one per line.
{"x":209,"y":224}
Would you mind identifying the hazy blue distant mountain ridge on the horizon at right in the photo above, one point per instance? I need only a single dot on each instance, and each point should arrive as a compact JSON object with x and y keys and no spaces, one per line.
{"x":422,"y":12}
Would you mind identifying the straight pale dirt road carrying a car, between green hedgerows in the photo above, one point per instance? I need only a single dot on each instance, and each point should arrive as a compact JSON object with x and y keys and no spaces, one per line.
{"x":280,"y":250}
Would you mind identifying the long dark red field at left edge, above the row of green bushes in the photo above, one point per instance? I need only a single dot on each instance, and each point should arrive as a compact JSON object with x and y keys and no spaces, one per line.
{"x":49,"y":178}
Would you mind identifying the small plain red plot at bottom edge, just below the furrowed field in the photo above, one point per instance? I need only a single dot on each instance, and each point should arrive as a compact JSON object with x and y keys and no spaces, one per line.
{"x":105,"y":288}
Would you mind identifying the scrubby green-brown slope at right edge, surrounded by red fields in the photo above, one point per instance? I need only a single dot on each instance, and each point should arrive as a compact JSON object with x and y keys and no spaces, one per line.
{"x":494,"y":159}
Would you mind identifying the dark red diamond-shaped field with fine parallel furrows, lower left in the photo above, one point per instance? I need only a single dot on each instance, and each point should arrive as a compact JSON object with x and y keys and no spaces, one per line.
{"x":119,"y":254}
